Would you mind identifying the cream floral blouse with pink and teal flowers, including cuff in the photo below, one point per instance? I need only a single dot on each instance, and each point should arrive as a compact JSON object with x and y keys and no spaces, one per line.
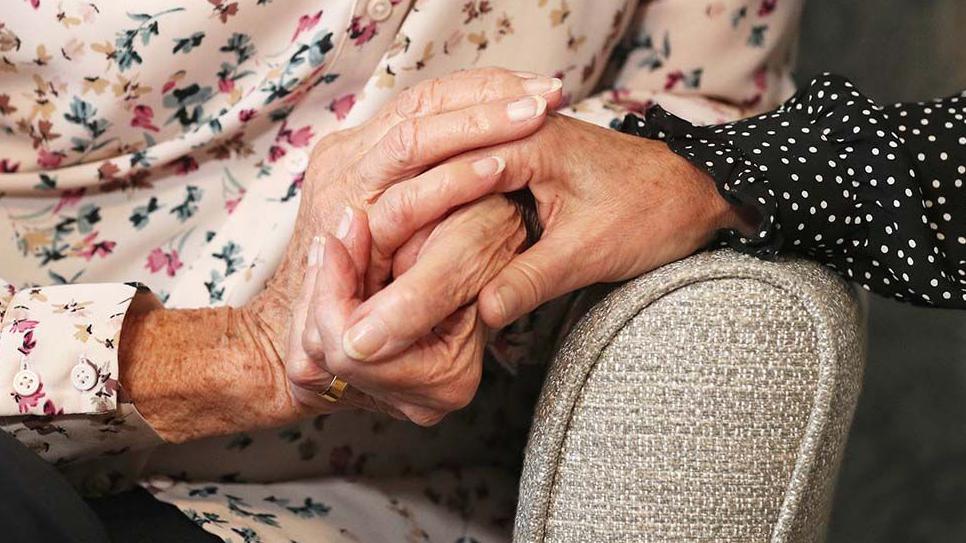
{"x":163,"y":143}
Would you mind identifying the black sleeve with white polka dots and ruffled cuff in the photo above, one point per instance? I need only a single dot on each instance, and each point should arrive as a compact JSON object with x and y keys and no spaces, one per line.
{"x":874,"y":192}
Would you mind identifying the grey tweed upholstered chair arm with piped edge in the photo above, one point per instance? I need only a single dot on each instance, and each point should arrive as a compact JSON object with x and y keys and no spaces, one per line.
{"x":707,"y":401}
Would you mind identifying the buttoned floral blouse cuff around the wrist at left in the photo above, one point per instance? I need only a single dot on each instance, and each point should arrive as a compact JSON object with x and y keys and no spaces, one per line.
{"x":59,"y":370}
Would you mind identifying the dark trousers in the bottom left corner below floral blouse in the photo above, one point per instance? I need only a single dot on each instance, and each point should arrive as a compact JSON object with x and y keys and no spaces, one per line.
{"x":40,"y":505}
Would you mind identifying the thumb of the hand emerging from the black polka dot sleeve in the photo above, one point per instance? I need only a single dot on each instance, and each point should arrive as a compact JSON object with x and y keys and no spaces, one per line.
{"x":541,"y":273}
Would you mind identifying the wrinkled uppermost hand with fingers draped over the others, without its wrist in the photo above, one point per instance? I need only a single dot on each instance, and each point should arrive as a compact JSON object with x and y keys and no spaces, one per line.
{"x":394,"y":159}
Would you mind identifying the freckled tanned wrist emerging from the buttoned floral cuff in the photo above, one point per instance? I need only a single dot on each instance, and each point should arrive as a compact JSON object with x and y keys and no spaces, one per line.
{"x":194,"y":373}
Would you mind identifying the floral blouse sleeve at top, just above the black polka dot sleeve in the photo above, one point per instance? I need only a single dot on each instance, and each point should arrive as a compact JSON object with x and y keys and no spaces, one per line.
{"x":706,"y":64}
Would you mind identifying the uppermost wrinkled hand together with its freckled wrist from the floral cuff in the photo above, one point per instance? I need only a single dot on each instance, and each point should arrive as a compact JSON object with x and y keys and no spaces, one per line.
{"x":253,"y":350}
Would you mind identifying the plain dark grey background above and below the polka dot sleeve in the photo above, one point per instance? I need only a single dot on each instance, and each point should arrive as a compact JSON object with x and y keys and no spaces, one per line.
{"x":904,"y":475}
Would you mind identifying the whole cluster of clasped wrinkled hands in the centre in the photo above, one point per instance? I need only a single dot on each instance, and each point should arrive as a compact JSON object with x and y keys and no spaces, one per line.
{"x":427,"y":254}
